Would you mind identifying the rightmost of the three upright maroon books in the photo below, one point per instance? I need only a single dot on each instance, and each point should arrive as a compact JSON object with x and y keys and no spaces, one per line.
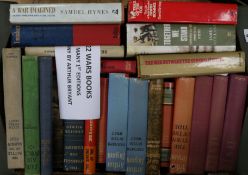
{"x":235,"y":108}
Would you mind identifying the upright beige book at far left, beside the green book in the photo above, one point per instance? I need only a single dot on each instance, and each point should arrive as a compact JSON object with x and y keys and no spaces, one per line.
{"x":12,"y":82}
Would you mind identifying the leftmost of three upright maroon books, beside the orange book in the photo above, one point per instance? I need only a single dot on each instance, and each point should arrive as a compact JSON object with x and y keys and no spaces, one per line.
{"x":200,"y":124}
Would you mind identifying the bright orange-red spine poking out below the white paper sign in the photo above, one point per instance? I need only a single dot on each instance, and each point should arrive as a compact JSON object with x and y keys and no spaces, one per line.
{"x":90,"y":146}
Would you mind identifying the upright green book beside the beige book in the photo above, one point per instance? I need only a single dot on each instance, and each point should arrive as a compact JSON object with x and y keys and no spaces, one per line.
{"x":30,"y":78}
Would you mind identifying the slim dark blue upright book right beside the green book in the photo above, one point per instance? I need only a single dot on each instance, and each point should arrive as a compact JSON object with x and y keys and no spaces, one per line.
{"x":45,"y":70}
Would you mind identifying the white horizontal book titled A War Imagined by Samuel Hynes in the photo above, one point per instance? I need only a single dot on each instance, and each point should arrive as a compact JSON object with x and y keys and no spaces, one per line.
{"x":66,"y":13}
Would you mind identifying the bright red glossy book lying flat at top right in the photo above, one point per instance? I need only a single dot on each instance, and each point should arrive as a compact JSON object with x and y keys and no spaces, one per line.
{"x":186,"y":12}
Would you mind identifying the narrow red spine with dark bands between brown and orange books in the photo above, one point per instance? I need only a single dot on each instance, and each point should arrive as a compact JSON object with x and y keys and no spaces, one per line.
{"x":168,"y":103}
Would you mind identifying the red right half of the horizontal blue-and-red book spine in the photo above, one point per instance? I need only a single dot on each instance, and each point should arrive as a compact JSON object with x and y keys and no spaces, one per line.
{"x":96,"y":34}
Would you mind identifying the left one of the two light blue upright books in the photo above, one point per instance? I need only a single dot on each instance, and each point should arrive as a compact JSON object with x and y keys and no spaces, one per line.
{"x":117,"y":122}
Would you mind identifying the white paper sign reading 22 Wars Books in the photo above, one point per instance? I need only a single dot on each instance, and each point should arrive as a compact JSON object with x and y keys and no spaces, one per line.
{"x":78,"y":75}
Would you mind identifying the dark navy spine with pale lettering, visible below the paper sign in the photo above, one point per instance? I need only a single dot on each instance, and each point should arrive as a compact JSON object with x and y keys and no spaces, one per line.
{"x":73,"y":145}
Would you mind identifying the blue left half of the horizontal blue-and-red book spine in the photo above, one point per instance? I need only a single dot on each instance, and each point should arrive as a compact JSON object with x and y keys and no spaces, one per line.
{"x":41,"y":35}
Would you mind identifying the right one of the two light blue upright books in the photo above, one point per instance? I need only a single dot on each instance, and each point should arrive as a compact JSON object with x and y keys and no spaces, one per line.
{"x":137,"y":127}
